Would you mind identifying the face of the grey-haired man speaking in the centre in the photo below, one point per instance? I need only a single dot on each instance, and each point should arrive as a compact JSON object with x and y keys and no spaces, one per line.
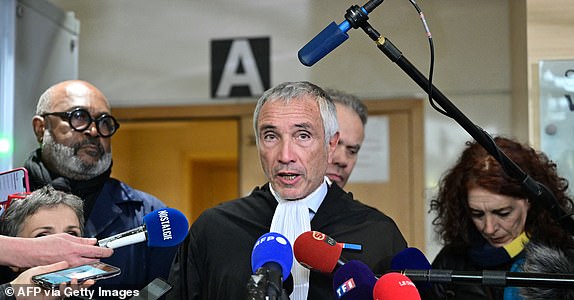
{"x":292,"y":146}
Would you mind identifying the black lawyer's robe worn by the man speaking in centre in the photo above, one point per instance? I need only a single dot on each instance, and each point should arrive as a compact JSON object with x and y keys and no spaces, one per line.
{"x":214,"y":261}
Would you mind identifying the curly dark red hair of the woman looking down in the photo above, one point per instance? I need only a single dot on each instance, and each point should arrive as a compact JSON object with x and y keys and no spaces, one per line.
{"x":477,"y":168}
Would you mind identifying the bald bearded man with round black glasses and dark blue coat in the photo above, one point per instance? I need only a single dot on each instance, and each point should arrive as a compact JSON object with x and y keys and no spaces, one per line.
{"x":73,"y":125}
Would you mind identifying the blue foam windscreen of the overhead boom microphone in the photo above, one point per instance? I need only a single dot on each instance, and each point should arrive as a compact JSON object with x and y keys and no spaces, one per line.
{"x":323,"y":43}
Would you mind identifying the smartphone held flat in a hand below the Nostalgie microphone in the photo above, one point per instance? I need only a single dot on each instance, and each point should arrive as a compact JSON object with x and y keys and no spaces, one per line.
{"x":96,"y":271}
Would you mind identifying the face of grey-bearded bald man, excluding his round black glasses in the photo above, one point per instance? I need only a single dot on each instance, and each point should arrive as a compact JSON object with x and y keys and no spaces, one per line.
{"x":75,"y":154}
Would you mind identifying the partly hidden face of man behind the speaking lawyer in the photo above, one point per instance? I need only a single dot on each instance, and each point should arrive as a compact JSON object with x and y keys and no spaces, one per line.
{"x":351,"y":136}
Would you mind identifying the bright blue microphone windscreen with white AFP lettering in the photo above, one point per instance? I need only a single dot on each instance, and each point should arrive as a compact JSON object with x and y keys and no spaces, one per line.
{"x":272,"y":247}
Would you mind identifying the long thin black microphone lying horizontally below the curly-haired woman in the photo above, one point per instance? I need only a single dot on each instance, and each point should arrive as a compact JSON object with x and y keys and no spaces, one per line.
{"x":492,"y":278}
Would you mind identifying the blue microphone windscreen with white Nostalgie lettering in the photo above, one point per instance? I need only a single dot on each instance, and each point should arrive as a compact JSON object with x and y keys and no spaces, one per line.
{"x":165,"y":227}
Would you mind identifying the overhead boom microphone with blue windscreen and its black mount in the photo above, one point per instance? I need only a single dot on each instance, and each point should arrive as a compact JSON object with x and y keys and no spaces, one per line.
{"x":334,"y":35}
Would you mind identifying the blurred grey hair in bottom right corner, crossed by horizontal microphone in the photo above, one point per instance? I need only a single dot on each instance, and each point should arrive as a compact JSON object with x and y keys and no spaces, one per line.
{"x":540,"y":258}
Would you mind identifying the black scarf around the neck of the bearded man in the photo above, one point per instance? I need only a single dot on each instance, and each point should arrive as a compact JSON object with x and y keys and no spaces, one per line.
{"x":88,"y":190}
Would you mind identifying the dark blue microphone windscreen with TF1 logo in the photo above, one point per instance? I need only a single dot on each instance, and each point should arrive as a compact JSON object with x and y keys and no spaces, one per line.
{"x":354,"y":280}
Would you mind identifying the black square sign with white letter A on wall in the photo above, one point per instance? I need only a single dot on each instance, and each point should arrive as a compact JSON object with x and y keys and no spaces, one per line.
{"x":240,"y":67}
